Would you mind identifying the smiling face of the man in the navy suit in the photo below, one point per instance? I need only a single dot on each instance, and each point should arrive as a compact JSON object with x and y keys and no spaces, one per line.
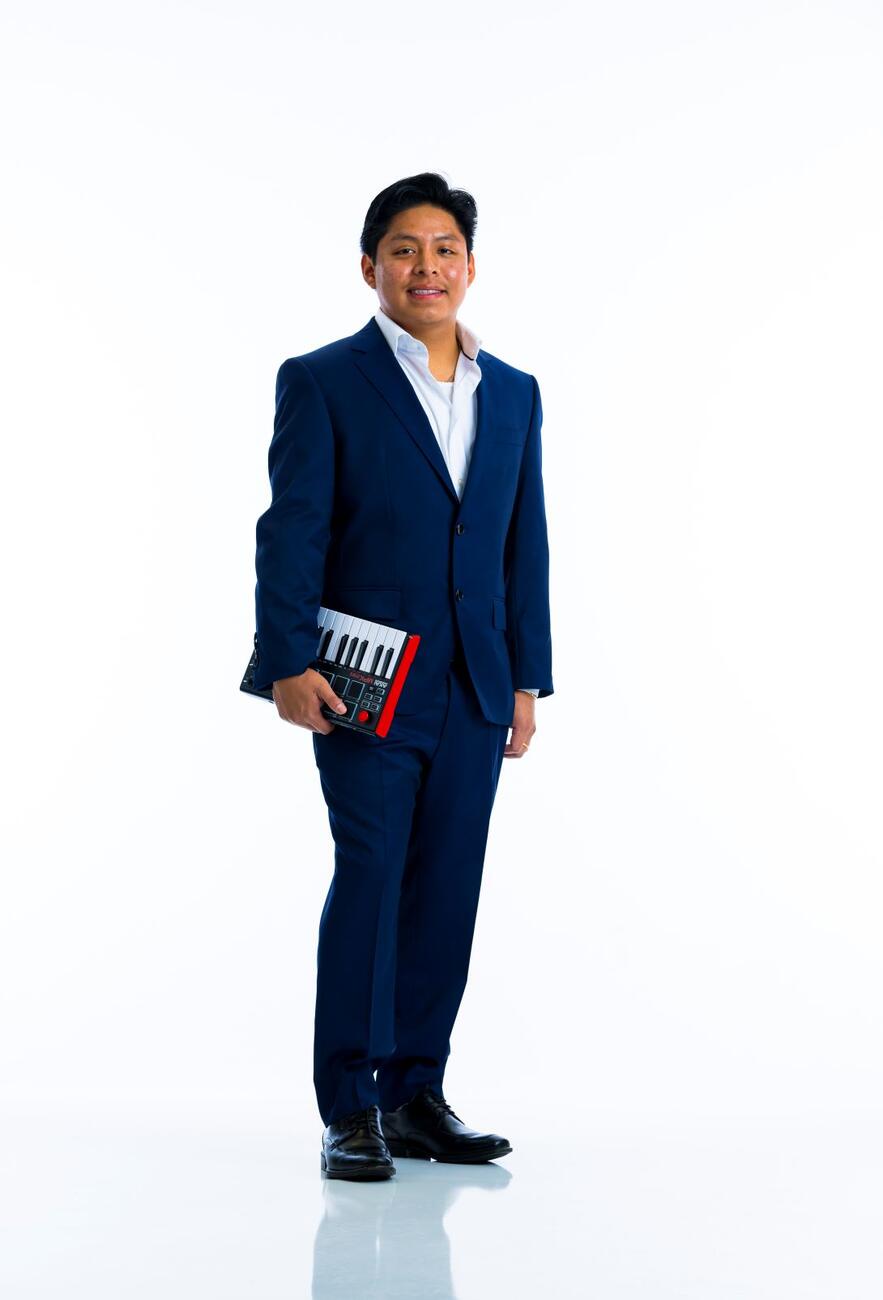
{"x":423,"y":249}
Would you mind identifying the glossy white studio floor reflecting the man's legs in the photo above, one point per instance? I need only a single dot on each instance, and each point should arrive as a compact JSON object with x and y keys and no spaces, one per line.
{"x":703,"y":1212}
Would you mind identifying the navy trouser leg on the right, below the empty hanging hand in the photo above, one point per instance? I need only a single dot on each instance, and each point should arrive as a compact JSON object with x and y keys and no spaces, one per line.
{"x":440,"y":892}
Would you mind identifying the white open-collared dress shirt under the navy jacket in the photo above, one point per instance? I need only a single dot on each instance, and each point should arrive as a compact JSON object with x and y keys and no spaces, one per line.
{"x":452,"y":408}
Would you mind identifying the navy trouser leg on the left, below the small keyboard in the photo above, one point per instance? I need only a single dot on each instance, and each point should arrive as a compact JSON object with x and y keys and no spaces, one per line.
{"x":370,"y":786}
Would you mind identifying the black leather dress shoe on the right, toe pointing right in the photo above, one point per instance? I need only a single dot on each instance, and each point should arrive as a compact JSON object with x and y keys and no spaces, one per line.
{"x":427,"y":1129}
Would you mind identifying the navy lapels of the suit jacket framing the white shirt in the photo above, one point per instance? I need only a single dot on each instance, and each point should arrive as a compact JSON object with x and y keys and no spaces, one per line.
{"x":374,"y":357}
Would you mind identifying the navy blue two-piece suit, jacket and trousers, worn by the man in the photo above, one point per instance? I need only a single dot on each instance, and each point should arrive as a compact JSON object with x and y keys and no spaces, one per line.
{"x":365,"y":518}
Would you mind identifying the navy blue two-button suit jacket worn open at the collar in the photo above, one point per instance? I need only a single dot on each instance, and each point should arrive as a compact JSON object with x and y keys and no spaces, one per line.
{"x":365,"y":518}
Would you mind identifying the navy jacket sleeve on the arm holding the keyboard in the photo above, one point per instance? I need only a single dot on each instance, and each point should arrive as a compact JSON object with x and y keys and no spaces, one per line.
{"x":293,"y":534}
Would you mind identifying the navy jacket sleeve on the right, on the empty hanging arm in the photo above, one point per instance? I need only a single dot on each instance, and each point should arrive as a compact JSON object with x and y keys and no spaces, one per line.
{"x":526,"y":566}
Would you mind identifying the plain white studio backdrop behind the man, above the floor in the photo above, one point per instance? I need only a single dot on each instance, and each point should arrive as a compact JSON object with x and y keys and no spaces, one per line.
{"x":679,"y":235}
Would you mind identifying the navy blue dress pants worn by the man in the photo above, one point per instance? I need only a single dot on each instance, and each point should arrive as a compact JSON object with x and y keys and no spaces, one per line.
{"x":409,"y":814}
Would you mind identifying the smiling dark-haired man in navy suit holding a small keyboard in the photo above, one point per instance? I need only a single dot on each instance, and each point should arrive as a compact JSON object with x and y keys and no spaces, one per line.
{"x":406,"y":489}
